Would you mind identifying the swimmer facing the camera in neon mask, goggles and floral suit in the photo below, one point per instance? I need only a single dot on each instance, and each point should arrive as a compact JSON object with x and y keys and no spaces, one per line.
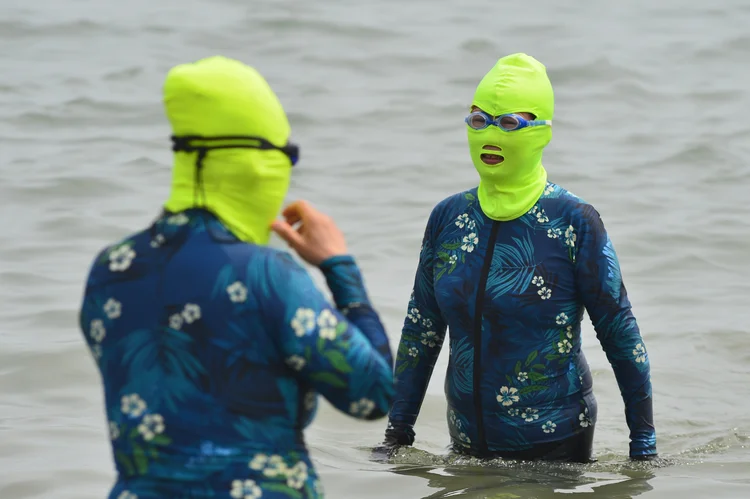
{"x":509,"y":268}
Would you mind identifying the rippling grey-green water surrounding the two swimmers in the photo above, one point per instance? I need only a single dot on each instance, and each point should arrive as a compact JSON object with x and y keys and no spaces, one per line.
{"x":651,"y":127}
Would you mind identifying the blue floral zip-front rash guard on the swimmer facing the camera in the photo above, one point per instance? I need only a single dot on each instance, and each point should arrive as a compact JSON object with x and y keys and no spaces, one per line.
{"x":512,"y":295}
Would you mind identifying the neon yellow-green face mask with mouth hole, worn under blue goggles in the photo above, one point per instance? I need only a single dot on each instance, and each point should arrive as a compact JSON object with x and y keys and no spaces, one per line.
{"x":517,"y":83}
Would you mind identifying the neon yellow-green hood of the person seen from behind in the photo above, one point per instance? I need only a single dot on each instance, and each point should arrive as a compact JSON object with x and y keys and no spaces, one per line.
{"x":244,"y":187}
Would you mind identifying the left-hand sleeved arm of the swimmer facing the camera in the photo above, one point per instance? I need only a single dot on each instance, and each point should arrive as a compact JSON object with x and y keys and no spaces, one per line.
{"x":421,"y":340}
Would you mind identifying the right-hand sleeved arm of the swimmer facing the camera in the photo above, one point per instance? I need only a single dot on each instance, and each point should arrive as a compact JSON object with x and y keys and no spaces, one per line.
{"x":599,"y":283}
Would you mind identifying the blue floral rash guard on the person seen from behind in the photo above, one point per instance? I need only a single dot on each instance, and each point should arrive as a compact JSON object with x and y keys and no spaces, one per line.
{"x":212,"y":352}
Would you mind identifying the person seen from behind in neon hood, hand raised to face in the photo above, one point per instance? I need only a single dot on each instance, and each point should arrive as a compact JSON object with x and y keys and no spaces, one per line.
{"x":212,"y":347}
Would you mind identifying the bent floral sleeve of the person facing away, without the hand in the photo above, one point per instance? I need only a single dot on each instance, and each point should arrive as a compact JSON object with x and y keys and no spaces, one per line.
{"x":342,"y":352}
